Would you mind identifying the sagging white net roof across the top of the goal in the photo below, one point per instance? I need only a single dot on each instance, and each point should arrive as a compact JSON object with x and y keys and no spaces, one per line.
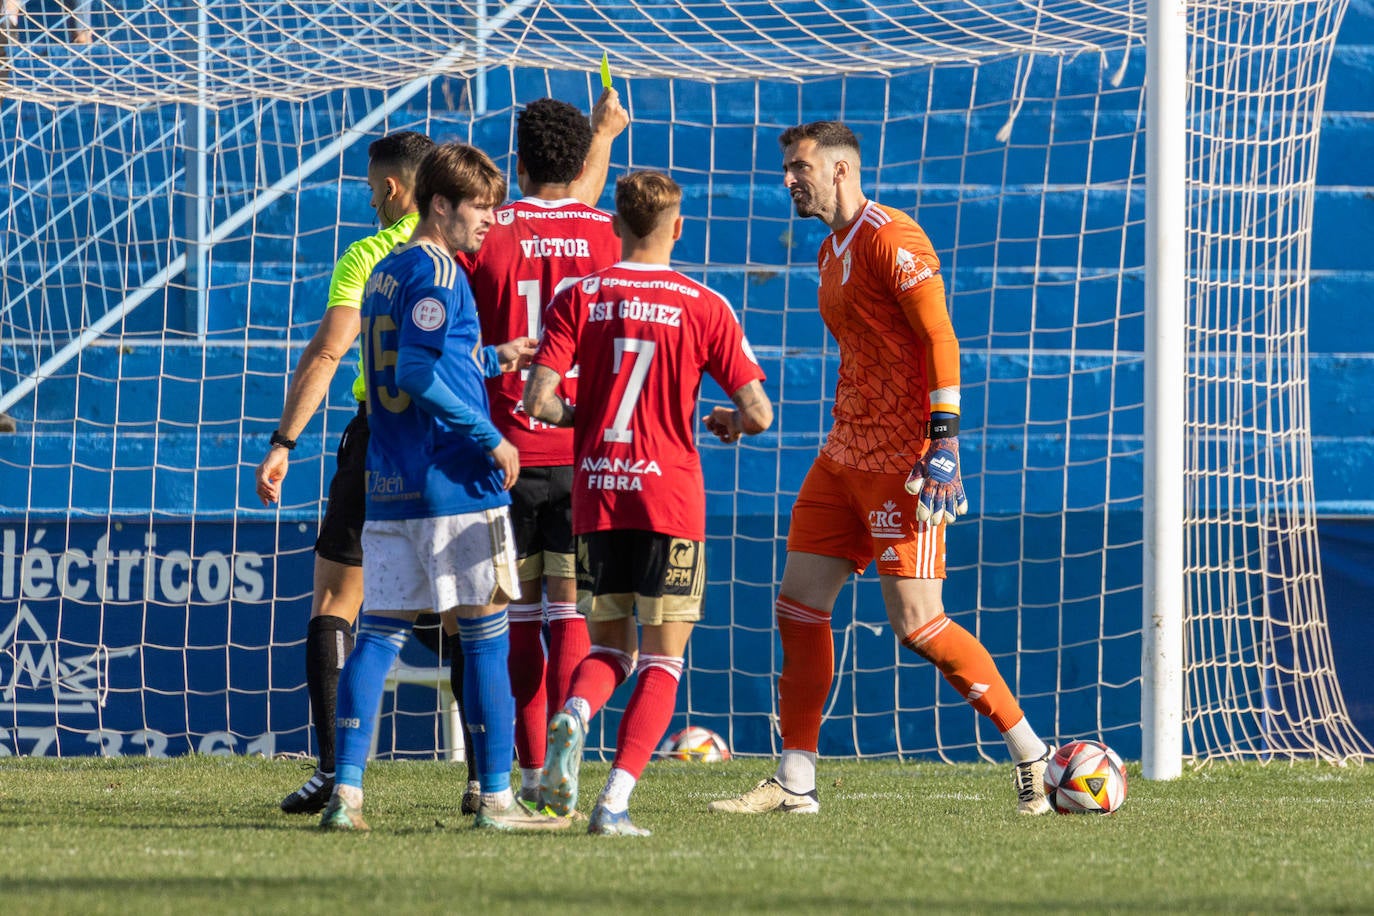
{"x":214,"y":53}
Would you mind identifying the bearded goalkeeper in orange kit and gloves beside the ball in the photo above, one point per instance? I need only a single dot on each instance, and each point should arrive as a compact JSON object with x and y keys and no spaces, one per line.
{"x":888,"y":477}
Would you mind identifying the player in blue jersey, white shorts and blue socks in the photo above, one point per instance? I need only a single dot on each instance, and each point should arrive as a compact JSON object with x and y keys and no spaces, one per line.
{"x":438,"y":534}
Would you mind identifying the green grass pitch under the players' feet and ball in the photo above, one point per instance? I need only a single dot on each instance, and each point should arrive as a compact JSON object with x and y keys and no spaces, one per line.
{"x":204,"y":836}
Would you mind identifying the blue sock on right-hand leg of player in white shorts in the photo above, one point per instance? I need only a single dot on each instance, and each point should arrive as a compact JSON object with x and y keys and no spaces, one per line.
{"x":487,"y":698}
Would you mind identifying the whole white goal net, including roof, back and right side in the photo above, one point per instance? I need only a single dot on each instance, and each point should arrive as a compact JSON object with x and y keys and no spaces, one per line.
{"x":178,"y":192}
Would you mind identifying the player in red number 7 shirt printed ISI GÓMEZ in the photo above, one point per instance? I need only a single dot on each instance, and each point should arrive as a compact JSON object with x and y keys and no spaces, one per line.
{"x":642,"y":336}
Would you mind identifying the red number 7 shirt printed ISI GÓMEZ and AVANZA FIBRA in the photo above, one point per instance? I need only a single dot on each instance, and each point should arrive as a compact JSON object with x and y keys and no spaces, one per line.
{"x":642,"y":336}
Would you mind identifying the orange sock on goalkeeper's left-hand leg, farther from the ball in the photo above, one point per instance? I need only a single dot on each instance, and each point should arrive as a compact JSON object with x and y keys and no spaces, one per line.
{"x":809,"y":667}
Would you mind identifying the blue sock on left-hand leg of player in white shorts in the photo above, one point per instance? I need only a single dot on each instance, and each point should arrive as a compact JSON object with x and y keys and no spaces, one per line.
{"x":380,"y":642}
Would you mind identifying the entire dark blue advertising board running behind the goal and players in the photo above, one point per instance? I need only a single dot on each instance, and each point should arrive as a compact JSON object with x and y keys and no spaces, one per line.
{"x":174,"y":637}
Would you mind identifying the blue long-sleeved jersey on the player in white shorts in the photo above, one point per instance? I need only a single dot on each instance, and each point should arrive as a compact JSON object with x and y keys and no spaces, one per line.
{"x":425,"y":369}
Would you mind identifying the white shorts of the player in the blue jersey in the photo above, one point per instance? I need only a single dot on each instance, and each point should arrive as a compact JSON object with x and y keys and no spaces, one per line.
{"x":439,"y":564}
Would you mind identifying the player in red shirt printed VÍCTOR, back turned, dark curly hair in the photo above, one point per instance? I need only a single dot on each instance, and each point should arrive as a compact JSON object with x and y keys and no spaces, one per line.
{"x":539,"y":242}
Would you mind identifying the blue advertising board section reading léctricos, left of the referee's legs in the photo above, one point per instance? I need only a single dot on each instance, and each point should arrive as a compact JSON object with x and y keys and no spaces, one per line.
{"x":122,"y":637}
